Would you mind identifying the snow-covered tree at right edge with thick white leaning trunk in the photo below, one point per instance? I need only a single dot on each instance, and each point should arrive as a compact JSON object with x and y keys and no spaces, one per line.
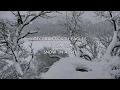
{"x":113,"y":17}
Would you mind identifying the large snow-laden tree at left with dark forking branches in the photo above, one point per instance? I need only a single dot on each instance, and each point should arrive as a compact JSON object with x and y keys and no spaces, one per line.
{"x":13,"y":33}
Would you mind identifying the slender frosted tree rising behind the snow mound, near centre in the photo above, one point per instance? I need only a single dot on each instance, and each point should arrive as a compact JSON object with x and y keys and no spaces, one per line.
{"x":74,"y":30}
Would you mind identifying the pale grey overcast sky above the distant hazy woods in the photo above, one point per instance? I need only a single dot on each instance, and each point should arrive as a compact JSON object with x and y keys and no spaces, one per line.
{"x":87,"y":15}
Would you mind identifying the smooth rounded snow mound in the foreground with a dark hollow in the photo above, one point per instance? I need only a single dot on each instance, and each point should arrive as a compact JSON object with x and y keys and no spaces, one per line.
{"x":66,"y":69}
